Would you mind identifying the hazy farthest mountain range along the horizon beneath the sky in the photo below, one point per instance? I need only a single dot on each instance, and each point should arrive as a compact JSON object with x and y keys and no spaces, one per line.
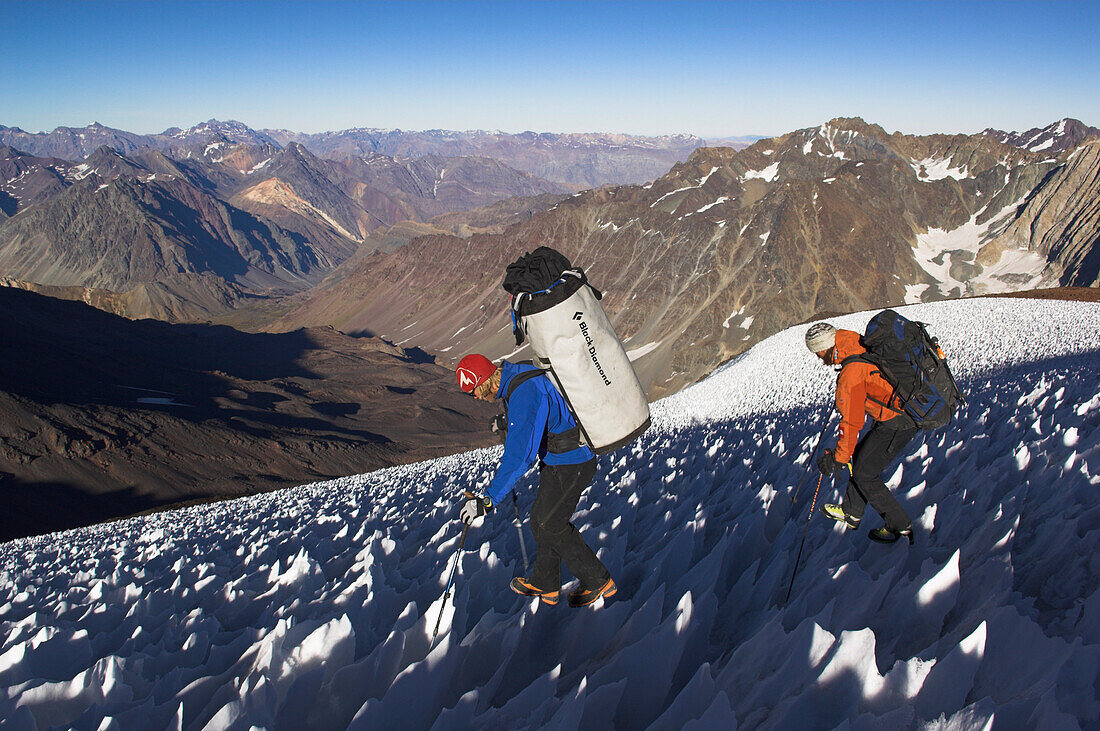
{"x":576,"y":161}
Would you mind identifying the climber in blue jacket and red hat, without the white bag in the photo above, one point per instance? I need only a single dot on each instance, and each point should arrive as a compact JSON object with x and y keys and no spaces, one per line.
{"x":541,"y":428}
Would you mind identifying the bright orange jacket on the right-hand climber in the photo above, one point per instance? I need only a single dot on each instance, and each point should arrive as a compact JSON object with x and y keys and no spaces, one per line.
{"x":860,"y":391}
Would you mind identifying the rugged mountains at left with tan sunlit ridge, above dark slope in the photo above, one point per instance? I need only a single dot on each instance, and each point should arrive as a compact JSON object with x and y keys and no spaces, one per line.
{"x":200,"y":229}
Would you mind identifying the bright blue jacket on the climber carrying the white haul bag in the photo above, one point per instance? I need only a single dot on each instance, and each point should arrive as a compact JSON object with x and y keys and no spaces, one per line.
{"x":535,"y":409}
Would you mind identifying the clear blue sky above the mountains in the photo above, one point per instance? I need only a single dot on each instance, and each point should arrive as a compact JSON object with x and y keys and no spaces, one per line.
{"x":707,"y":69}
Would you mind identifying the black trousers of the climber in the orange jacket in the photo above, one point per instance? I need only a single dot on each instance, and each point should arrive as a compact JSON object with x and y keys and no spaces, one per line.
{"x":874,"y":455}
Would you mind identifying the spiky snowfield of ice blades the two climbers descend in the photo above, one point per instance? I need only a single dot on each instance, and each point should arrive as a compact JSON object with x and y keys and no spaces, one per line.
{"x":314,"y":607}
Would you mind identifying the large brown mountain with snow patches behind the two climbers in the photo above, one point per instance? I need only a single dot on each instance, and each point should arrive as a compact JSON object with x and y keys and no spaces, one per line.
{"x":733,"y":247}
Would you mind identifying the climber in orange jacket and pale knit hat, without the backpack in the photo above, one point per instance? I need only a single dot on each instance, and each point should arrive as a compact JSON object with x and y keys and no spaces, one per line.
{"x":862,"y":391}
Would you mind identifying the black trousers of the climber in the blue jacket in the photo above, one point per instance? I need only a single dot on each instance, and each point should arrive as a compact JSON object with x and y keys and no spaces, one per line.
{"x":560,"y":488}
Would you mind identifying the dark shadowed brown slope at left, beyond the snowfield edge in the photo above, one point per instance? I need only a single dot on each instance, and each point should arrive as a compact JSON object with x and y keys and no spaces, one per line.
{"x":102,"y":417}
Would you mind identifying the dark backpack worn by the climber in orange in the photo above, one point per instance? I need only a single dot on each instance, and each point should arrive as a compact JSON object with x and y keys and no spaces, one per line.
{"x":914,"y":364}
